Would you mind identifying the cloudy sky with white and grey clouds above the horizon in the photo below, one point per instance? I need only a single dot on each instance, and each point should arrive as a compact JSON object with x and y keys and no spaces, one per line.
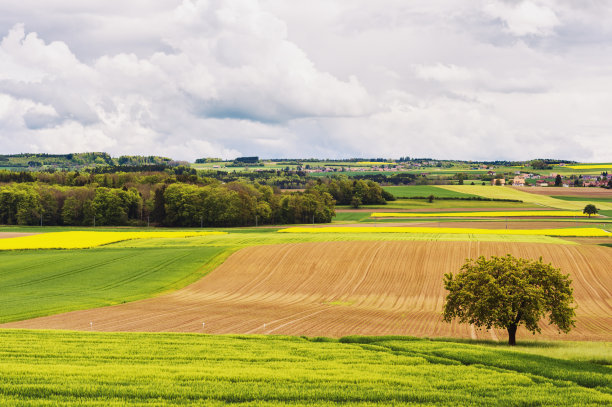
{"x":469,"y":80}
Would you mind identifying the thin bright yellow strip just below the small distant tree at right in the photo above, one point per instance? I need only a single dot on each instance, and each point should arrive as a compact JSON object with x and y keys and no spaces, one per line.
{"x":482,"y":214}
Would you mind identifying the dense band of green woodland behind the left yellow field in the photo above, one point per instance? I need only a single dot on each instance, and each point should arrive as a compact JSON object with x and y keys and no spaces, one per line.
{"x":175,"y":204}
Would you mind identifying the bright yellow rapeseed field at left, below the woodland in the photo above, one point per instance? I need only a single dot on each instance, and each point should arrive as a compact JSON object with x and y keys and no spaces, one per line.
{"x":84,"y":240}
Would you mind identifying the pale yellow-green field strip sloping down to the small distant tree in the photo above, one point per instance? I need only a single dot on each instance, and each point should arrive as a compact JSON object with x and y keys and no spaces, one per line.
{"x":523,"y":195}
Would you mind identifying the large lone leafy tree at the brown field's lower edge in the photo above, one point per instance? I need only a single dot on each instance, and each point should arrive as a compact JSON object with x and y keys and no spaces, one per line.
{"x":506,"y":292}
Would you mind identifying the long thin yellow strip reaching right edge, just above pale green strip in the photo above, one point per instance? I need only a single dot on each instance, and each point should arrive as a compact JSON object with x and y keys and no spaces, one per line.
{"x":582,"y":232}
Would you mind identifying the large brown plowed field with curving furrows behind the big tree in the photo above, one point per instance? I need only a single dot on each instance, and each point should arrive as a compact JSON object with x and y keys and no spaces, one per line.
{"x":342,"y":288}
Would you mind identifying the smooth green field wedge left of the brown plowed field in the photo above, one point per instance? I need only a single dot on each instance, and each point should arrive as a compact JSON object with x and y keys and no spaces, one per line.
{"x":44,"y":282}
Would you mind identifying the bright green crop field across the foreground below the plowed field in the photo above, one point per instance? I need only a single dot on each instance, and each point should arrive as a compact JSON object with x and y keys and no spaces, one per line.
{"x":41,"y":368}
